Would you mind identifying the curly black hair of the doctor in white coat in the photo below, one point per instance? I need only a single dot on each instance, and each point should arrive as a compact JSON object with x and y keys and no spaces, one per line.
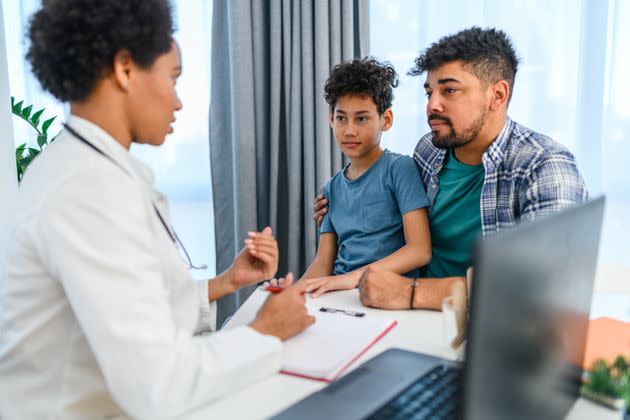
{"x":73,"y":42}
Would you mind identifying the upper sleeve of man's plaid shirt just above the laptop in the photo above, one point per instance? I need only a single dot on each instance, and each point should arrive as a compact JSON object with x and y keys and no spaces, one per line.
{"x":552,"y":185}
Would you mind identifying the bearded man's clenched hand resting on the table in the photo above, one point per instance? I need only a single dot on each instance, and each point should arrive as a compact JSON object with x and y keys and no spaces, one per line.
{"x":384,"y":289}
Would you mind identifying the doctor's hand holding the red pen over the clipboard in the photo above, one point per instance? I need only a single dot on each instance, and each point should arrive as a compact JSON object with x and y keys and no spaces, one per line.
{"x":284,"y":314}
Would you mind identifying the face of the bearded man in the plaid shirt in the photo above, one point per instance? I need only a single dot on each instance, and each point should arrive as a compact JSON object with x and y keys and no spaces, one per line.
{"x":457,"y":106}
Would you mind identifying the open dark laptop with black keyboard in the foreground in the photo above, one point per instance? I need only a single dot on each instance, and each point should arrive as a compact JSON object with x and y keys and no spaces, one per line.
{"x":529,"y":316}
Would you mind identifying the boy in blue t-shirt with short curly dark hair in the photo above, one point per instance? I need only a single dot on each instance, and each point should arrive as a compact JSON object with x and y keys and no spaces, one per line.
{"x":377,"y":214}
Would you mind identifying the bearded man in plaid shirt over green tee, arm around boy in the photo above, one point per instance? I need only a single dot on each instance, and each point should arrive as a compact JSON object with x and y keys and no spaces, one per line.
{"x":482,"y":171}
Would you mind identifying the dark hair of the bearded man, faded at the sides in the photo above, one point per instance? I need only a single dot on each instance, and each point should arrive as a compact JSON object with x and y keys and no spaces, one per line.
{"x":486,"y":53}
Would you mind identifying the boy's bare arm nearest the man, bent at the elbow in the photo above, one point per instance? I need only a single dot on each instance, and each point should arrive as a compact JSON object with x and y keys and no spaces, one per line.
{"x":417,"y":250}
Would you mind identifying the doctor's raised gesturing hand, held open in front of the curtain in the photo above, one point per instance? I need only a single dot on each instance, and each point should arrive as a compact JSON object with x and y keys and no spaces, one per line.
{"x":257,"y":261}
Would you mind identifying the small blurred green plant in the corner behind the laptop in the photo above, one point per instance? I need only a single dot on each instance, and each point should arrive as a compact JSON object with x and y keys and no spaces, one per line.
{"x":610,"y":380}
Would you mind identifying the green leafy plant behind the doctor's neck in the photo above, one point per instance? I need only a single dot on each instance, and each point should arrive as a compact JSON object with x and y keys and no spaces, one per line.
{"x":24,"y":154}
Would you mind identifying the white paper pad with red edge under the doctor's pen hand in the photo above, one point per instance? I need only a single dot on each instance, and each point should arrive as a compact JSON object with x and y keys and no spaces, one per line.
{"x":328,"y":347}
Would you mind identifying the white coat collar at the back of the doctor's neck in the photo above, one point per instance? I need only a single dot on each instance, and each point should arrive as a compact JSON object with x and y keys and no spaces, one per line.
{"x":108,"y":145}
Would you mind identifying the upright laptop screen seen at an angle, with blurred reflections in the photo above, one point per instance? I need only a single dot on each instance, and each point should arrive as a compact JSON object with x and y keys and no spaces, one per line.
{"x":530,"y":307}
